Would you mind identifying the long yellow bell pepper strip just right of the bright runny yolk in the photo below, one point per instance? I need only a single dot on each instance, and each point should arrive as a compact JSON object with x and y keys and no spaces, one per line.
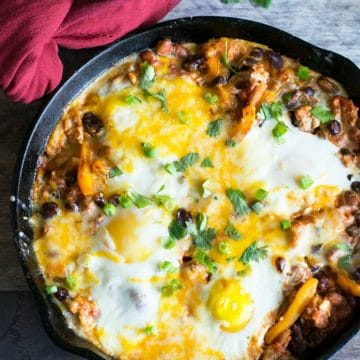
{"x":302,"y":299}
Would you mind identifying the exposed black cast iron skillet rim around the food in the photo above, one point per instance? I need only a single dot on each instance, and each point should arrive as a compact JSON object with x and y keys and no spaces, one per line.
{"x":196,"y":29}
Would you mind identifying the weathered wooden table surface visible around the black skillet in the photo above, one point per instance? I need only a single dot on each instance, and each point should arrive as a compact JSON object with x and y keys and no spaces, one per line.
{"x":331,"y":24}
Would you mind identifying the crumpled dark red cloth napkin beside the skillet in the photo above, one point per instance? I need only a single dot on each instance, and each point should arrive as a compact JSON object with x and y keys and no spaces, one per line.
{"x":32,"y":30}
